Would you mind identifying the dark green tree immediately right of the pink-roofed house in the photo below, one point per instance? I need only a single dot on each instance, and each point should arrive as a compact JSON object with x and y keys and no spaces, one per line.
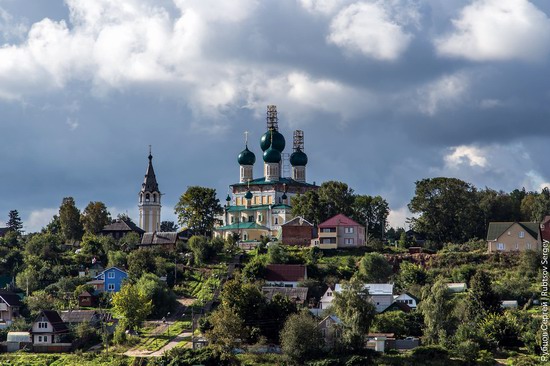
{"x":372,"y":211}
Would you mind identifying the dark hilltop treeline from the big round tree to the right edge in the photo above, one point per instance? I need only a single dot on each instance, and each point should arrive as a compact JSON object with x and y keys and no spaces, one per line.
{"x":452,"y":210}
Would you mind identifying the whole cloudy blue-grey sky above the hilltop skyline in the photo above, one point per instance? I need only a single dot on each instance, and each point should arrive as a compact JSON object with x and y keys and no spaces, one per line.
{"x":387,"y":92}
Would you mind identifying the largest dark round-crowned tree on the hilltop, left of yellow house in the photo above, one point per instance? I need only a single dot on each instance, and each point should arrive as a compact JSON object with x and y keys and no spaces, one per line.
{"x":448,"y":210}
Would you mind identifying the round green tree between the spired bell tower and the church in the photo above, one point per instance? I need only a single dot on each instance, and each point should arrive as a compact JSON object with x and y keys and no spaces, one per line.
{"x":197,"y":209}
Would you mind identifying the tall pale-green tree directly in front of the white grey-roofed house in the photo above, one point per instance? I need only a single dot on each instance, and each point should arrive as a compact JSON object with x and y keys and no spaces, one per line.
{"x":354,"y":307}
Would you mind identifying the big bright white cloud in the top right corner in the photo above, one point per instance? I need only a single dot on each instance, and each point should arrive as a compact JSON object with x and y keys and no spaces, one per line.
{"x":498,"y":30}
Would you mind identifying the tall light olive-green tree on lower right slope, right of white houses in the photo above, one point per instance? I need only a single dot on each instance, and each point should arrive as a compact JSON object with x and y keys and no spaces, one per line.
{"x":437,"y":308}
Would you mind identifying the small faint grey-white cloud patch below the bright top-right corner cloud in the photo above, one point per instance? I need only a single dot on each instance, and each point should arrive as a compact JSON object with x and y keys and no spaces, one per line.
{"x":443,"y":92}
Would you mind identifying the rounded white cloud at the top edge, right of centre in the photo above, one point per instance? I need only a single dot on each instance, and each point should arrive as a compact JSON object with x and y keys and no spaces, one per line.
{"x":370,"y":29}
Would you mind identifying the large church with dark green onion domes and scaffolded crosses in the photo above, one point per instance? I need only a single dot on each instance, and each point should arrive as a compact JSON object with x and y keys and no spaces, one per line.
{"x":257,"y":207}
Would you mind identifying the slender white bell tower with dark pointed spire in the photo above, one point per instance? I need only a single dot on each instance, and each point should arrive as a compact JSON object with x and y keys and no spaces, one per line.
{"x":149,"y":200}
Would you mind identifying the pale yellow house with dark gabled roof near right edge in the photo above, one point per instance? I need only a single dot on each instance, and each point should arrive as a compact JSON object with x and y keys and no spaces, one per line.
{"x":513,"y":237}
